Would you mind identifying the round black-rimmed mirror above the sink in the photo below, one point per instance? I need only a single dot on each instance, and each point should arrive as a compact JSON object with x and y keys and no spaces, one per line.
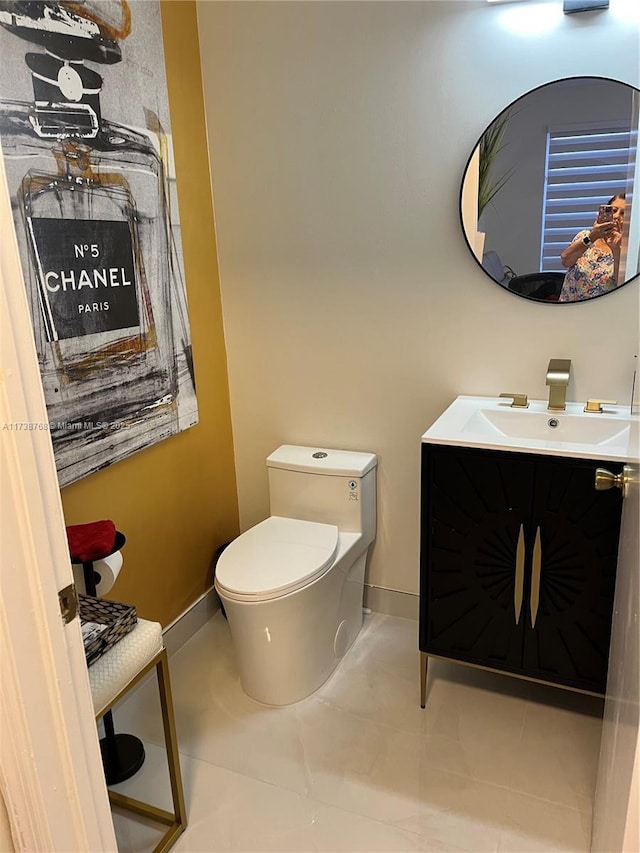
{"x":546,"y":200}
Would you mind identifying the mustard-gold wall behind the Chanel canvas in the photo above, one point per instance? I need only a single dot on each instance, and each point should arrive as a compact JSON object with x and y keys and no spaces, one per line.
{"x":176,"y":501}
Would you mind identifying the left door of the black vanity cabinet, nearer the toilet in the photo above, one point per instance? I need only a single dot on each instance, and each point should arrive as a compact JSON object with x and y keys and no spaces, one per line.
{"x":475,"y":512}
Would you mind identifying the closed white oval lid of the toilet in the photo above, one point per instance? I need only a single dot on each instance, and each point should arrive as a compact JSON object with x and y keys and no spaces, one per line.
{"x":276,"y":557}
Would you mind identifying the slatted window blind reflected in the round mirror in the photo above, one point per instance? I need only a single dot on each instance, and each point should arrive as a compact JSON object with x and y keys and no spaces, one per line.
{"x":583,"y":170}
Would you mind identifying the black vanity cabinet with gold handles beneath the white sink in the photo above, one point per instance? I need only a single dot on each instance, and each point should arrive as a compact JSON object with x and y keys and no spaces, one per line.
{"x":518,"y":563}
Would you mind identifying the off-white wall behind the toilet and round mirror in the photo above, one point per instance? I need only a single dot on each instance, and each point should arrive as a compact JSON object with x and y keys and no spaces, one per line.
{"x":354,"y":312}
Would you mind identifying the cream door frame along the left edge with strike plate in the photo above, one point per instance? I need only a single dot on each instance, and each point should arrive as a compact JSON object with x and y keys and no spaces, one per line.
{"x":51,"y":776}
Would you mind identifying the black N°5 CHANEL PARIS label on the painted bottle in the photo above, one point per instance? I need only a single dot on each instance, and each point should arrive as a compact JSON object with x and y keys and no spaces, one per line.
{"x":87,"y":276}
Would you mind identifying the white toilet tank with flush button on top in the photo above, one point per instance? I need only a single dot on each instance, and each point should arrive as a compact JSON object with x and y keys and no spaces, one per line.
{"x":331,"y":486}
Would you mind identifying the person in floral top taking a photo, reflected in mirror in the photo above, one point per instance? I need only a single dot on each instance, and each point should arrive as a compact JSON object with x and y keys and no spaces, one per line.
{"x":593,"y":257}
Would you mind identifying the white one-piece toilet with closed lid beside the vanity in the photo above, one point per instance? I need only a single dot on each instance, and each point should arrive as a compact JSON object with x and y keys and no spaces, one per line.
{"x":292,"y":586}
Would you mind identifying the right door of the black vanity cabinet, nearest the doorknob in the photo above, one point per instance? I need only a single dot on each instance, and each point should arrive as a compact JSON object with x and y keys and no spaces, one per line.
{"x":573,"y":570}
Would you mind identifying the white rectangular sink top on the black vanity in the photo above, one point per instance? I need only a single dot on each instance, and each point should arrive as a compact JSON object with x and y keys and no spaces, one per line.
{"x":492,"y":422}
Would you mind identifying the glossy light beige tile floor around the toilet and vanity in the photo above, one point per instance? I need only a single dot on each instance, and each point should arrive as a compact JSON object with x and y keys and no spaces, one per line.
{"x":492,"y":764}
